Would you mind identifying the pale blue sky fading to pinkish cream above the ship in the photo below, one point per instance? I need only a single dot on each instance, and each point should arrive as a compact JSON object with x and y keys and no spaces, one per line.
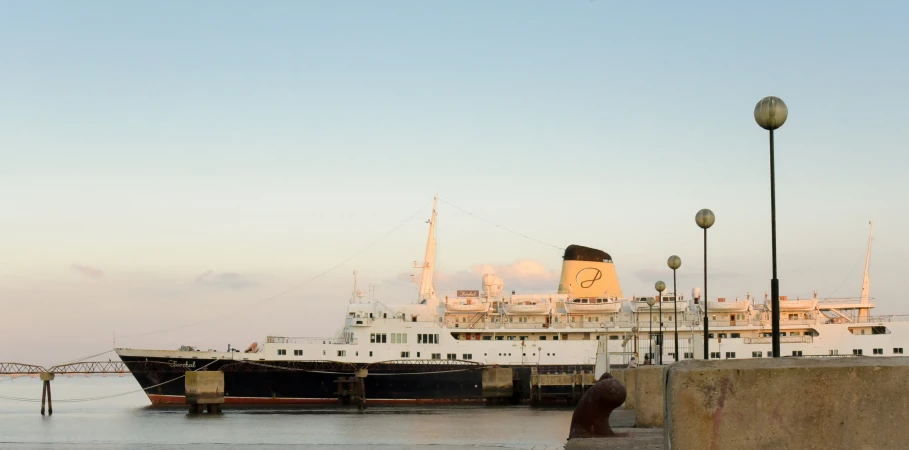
{"x":210,"y":173}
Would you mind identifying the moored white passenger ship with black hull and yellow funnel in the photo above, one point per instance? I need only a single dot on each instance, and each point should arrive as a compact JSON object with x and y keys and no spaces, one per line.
{"x":435,"y":349}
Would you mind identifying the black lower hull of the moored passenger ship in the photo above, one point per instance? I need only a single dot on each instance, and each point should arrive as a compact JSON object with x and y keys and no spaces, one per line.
{"x":295,"y":382}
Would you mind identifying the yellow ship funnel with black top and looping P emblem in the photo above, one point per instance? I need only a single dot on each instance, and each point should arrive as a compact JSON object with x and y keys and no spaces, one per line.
{"x":588,"y":272}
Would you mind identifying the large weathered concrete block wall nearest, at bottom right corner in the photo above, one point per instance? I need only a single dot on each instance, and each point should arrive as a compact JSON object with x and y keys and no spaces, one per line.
{"x":788,"y":403}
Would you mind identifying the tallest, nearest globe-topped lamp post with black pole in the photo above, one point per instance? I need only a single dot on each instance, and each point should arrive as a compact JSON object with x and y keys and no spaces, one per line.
{"x":770,"y":113}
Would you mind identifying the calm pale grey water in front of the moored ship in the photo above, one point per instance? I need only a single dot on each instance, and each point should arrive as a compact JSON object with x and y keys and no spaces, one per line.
{"x":128,"y":422}
